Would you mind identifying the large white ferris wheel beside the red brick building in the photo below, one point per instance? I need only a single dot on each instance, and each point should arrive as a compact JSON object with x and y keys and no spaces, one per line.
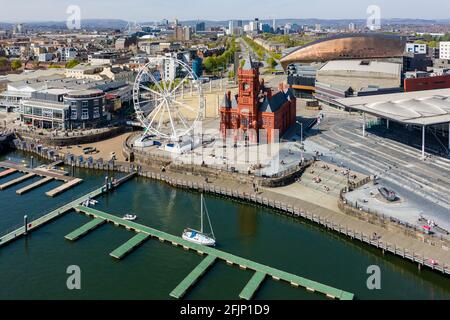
{"x":168,"y":99}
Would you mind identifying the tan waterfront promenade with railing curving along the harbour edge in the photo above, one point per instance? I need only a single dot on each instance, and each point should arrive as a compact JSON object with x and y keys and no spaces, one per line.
{"x":434,"y":254}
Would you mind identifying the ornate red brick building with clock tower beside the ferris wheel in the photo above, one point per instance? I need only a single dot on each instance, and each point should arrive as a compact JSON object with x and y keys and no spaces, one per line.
{"x":256,"y":107}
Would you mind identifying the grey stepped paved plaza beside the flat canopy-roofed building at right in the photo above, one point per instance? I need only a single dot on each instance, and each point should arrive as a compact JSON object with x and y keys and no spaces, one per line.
{"x":424,"y":183}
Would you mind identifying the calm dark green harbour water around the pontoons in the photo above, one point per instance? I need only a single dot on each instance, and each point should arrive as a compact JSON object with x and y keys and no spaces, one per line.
{"x":35,"y":267}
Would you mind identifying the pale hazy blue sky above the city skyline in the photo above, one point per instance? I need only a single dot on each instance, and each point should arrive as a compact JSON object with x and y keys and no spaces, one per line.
{"x":151,"y":10}
